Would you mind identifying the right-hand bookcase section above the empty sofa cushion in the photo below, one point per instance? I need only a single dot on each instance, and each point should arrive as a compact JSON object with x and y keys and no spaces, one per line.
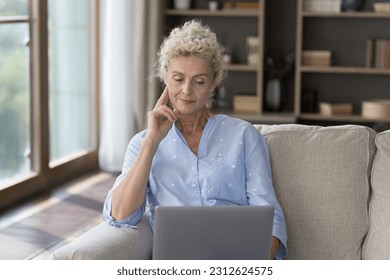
{"x":347,"y":78}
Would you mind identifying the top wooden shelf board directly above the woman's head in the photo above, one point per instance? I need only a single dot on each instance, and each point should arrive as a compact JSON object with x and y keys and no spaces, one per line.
{"x":218,"y":13}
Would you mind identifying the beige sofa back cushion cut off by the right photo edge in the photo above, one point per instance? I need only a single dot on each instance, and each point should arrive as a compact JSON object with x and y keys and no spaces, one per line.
{"x":377,"y":244}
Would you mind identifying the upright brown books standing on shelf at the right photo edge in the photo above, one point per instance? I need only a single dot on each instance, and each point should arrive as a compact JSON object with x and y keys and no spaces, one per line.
{"x":378,"y":53}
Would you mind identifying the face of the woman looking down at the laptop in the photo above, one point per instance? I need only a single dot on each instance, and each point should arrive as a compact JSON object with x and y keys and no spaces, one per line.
{"x":190,"y":81}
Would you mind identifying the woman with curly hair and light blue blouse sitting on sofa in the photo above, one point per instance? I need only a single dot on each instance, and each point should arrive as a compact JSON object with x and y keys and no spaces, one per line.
{"x":187,"y":156}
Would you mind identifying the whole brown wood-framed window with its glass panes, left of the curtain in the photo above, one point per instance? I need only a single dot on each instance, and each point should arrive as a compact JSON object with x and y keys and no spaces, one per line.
{"x":48,"y":77}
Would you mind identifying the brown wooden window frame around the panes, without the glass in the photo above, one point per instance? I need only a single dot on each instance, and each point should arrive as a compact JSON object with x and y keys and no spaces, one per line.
{"x":45,"y":175}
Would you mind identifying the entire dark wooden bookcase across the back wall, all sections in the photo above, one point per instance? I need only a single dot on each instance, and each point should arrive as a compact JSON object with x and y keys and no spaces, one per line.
{"x":284,"y":25}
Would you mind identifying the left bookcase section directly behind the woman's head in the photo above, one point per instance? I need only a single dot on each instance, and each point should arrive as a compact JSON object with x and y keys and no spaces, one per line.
{"x":233,"y":26}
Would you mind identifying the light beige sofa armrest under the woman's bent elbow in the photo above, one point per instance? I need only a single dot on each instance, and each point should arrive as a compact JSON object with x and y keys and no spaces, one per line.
{"x":105,"y":242}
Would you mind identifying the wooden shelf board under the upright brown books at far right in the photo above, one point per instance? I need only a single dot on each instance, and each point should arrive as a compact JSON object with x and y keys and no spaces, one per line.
{"x":345,"y":70}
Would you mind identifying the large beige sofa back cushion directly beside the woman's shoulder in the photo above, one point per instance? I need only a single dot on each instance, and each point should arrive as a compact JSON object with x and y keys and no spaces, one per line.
{"x":321,"y":178}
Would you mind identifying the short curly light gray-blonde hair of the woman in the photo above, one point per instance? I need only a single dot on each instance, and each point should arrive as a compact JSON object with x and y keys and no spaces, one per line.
{"x":192,"y":38}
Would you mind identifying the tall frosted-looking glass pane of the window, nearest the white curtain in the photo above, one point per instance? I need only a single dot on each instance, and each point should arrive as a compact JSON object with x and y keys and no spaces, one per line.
{"x":69,"y":78}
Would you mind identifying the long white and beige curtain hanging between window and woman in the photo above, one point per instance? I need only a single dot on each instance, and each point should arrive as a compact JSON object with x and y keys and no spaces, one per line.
{"x":129,"y":42}
